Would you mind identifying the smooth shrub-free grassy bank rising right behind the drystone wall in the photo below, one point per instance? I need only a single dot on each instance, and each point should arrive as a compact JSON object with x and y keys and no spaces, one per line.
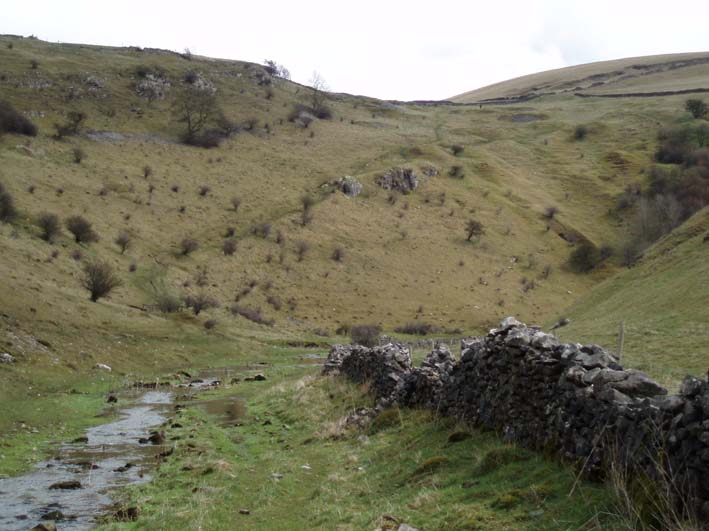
{"x":663,"y":302}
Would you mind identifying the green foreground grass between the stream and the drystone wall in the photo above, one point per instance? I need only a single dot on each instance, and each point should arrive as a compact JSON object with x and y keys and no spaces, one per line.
{"x":348,"y":480}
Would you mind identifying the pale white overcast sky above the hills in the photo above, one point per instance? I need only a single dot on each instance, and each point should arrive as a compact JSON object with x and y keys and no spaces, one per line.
{"x":387,"y":49}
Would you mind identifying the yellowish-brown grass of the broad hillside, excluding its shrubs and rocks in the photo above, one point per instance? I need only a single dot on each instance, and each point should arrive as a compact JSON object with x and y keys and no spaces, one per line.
{"x":513,"y":171}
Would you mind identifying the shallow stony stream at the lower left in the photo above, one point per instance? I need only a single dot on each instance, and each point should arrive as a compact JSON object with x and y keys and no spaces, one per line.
{"x":98,"y":465}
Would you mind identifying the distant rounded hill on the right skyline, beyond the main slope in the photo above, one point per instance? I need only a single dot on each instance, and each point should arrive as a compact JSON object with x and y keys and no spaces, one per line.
{"x":656,"y":73}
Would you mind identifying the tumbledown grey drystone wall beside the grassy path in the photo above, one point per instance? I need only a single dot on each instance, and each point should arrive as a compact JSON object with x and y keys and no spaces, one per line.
{"x":573,"y":400}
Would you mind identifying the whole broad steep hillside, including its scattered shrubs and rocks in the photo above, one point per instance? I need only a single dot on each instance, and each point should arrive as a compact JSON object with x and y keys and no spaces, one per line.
{"x":216,"y":198}
